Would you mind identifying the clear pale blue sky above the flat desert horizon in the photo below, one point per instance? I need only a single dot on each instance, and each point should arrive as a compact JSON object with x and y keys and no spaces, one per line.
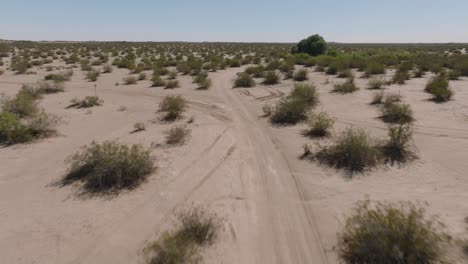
{"x":357,"y":21}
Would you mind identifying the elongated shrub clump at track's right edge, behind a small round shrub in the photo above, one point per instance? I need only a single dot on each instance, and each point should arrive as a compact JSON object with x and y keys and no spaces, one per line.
{"x":296,"y":106}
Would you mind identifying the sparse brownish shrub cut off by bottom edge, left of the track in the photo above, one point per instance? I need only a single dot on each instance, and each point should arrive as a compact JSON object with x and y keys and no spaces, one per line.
{"x":195,"y":229}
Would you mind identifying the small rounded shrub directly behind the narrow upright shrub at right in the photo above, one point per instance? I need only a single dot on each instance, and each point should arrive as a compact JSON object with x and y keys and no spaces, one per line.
{"x":396,"y":113}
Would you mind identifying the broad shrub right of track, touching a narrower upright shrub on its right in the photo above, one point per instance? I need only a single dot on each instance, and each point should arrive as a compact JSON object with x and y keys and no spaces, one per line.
{"x":353,"y":150}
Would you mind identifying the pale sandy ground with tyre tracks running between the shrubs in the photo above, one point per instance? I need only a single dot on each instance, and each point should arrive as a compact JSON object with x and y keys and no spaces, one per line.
{"x":276,"y":207}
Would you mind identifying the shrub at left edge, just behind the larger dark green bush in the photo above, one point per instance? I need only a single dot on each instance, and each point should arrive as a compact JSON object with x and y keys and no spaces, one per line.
{"x":22,"y":105}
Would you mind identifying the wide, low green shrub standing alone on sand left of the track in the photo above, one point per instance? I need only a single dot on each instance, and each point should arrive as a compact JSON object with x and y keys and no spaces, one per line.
{"x":109,"y":166}
